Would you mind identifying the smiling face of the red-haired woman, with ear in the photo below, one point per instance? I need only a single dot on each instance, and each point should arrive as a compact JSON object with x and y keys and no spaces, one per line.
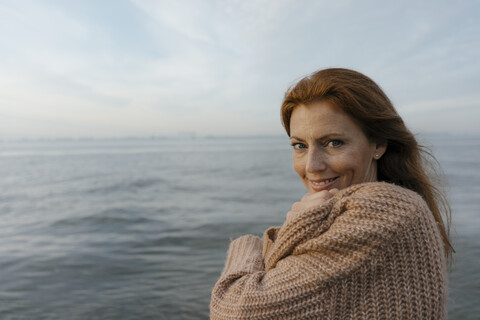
{"x":329,"y":148}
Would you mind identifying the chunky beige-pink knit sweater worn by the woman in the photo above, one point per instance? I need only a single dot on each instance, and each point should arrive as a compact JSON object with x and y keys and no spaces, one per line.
{"x":373,"y":251}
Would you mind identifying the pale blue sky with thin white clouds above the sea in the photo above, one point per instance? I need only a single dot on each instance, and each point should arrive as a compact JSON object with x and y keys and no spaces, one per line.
{"x":117,"y":68}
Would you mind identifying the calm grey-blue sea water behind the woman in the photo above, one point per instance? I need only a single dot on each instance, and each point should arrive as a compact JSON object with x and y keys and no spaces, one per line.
{"x":138,"y":229}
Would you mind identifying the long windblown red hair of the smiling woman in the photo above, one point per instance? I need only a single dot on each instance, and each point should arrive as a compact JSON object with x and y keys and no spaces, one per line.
{"x":405,"y":162}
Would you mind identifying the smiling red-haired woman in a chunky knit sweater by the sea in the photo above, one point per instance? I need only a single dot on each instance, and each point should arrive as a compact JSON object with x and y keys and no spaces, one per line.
{"x":368,"y":240}
